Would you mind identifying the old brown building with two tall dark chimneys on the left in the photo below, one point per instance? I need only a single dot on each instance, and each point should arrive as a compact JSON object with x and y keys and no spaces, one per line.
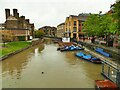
{"x":17,"y":25}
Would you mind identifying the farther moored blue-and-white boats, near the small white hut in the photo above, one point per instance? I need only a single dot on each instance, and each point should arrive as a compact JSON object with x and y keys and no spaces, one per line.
{"x":71,"y":48}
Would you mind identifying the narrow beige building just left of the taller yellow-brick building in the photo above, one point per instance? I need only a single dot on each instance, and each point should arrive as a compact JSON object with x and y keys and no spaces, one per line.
{"x":60,"y":30}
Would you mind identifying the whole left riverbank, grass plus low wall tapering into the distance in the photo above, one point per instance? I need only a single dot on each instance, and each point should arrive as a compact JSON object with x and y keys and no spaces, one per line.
{"x":13,"y":48}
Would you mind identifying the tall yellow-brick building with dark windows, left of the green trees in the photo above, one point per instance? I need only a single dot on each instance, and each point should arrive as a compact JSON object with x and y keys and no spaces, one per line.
{"x":73,"y":25}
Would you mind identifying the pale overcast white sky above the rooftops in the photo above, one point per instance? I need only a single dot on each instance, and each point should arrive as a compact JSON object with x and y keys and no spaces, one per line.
{"x":52,"y":12}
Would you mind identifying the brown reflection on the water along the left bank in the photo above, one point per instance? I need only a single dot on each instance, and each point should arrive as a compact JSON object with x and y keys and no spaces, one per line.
{"x":16,"y":64}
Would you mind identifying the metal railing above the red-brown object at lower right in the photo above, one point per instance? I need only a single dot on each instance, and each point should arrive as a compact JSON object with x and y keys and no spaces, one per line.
{"x":111,"y":71}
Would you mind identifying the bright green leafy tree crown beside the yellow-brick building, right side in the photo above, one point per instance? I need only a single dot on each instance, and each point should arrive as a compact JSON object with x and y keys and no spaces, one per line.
{"x":100,"y":25}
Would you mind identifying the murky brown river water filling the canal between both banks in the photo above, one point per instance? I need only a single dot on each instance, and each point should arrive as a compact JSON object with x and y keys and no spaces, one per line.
{"x":61,"y":69}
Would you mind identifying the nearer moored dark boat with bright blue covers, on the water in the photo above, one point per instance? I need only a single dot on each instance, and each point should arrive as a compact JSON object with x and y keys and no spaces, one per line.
{"x":88,"y":57}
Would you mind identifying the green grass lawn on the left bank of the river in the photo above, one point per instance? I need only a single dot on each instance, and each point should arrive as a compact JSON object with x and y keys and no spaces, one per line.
{"x":13,"y":46}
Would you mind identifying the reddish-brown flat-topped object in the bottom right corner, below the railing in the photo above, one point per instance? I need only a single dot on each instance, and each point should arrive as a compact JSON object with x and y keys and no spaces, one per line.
{"x":105,"y":85}
